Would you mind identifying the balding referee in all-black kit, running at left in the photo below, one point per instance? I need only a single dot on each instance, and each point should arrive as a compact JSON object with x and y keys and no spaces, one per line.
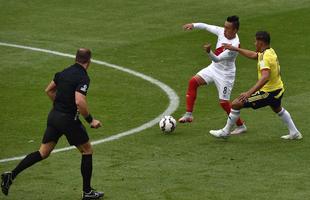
{"x":68,"y":92}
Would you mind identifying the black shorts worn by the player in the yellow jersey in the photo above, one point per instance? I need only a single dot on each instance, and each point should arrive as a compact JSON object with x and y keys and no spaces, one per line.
{"x":261,"y":99}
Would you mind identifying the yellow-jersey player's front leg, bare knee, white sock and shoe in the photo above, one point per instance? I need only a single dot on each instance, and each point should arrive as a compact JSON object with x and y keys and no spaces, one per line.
{"x":233,"y":116}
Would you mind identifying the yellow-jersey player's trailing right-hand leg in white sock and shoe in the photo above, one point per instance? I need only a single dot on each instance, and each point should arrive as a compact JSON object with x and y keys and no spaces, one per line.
{"x":288,"y":121}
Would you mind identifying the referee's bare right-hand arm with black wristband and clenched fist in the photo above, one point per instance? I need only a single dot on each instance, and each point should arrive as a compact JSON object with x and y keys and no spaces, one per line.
{"x":81,"y":103}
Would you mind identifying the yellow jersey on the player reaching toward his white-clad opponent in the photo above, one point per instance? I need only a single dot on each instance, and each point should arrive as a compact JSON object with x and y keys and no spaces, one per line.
{"x":269,"y":60}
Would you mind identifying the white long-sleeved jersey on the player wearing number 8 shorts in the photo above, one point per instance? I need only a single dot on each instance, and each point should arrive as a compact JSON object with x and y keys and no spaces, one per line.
{"x":223,"y":60}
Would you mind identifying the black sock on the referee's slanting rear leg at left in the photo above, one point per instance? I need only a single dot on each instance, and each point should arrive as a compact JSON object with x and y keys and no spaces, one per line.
{"x":28,"y":161}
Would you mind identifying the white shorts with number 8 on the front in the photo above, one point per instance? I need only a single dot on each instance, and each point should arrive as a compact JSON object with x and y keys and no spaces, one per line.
{"x":223,"y":82}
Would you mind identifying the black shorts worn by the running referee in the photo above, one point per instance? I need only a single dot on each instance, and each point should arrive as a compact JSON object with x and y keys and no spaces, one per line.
{"x":59,"y":123}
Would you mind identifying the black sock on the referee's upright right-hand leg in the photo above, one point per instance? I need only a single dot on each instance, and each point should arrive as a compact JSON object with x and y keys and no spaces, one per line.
{"x":86,"y":171}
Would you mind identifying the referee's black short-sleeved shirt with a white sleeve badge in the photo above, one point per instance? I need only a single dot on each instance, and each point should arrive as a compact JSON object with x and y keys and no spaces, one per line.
{"x":70,"y":80}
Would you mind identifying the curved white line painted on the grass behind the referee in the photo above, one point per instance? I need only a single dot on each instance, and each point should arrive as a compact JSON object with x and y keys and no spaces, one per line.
{"x":173,"y":98}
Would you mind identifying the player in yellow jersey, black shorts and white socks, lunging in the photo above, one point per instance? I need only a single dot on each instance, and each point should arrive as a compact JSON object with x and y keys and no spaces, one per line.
{"x":268,"y":90}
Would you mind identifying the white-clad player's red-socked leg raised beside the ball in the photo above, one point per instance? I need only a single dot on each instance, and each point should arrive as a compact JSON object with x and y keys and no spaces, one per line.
{"x":191,"y":95}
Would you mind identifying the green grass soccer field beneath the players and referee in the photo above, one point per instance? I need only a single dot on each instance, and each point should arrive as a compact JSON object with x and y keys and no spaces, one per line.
{"x":147,"y":37}
